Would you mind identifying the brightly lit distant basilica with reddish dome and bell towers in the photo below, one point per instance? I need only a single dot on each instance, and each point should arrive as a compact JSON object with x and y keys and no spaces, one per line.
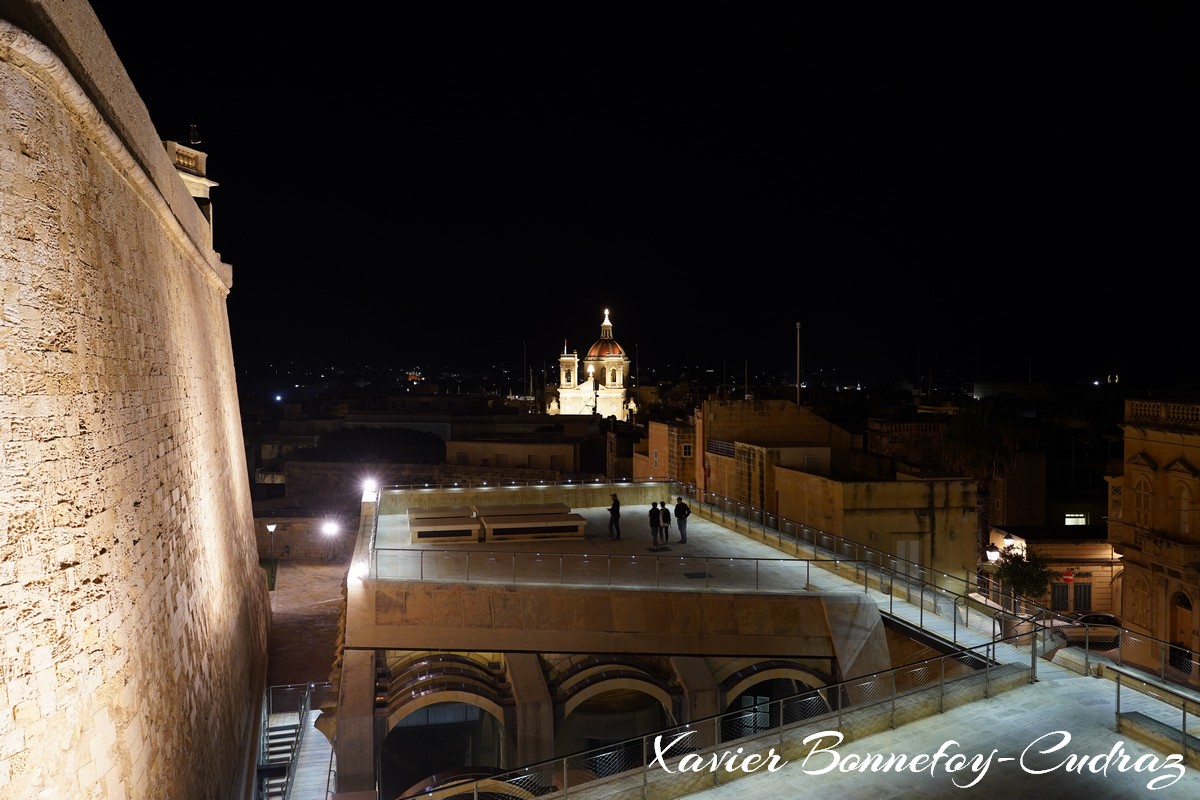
{"x":598,"y":383}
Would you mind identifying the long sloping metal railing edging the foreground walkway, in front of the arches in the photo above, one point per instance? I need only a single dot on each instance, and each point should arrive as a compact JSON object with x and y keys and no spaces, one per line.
{"x":712,"y":749}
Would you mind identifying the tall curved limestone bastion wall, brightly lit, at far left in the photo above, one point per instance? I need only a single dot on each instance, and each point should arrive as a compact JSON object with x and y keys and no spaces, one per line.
{"x":134,"y":613}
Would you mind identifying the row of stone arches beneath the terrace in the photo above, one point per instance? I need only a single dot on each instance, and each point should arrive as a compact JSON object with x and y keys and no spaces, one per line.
{"x":453,"y":715}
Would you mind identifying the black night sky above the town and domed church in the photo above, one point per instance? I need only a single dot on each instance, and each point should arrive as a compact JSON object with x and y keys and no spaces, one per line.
{"x":1007,"y":191}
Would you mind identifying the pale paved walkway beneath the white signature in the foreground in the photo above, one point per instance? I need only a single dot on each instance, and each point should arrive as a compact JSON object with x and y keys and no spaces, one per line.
{"x":1006,"y":735}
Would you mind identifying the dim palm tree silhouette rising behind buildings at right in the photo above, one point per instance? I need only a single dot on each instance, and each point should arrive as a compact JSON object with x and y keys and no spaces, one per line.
{"x":981,"y":443}
